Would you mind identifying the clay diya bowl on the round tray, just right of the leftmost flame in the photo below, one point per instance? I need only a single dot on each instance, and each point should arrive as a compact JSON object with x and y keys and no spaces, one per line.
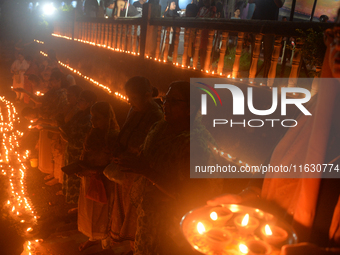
{"x":218,"y":238}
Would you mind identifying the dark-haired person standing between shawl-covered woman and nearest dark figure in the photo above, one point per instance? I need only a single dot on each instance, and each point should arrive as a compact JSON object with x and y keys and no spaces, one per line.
{"x":144,"y":112}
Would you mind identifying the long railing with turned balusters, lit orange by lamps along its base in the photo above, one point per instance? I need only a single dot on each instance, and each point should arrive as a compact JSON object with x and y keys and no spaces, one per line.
{"x":150,"y":38}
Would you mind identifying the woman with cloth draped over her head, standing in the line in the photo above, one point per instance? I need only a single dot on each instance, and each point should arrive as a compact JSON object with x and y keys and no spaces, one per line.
{"x":93,"y":216}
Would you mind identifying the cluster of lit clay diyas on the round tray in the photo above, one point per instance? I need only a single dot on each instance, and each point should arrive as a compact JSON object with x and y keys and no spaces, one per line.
{"x":215,"y":235}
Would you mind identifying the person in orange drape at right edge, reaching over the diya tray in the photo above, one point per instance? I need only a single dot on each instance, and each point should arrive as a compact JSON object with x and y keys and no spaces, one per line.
{"x":311,"y":204}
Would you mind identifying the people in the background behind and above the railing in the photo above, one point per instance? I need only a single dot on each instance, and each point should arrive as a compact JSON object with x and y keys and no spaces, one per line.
{"x":266,"y":10}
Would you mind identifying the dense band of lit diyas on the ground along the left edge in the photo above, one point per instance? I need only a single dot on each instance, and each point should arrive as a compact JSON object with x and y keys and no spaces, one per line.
{"x":12,"y":164}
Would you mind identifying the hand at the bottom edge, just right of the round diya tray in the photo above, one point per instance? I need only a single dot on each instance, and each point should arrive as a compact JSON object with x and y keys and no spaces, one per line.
{"x":302,"y":249}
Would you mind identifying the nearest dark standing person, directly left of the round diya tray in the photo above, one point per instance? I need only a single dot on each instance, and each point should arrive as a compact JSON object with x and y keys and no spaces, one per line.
{"x":165,"y":192}
